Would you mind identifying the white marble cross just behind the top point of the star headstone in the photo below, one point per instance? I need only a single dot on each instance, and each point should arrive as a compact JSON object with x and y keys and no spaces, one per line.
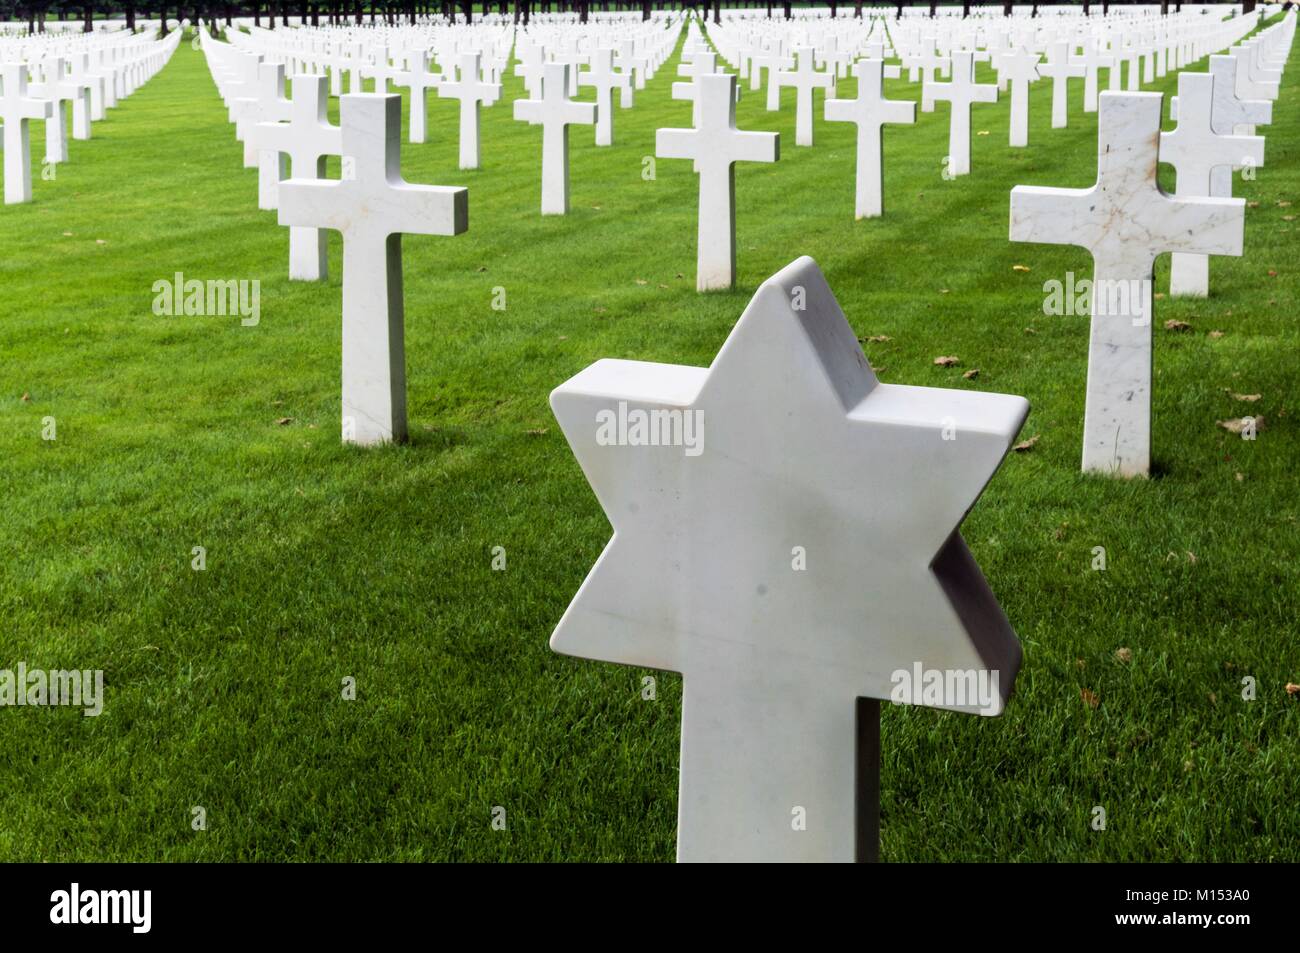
{"x":716,"y":146}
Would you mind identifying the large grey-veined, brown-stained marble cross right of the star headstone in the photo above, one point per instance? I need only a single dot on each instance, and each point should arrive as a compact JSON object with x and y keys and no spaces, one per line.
{"x":1125,"y":220}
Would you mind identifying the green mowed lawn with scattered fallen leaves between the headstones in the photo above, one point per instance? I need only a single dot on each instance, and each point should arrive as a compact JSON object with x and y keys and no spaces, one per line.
{"x":326,"y":562}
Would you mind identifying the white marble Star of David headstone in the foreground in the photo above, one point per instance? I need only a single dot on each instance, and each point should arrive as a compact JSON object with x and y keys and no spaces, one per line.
{"x":788,"y":542}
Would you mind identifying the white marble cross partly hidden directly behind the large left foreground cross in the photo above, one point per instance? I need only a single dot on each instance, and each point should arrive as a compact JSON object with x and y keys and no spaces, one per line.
{"x":309,"y":138}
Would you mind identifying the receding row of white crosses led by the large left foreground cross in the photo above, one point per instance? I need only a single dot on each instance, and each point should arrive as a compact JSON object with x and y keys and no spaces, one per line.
{"x":371,"y":207}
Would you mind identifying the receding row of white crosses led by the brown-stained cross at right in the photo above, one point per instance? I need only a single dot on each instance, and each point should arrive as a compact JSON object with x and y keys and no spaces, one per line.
{"x":1126,"y":222}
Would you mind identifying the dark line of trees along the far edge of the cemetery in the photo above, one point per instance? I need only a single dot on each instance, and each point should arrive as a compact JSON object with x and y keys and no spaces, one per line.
{"x":335,"y":12}
